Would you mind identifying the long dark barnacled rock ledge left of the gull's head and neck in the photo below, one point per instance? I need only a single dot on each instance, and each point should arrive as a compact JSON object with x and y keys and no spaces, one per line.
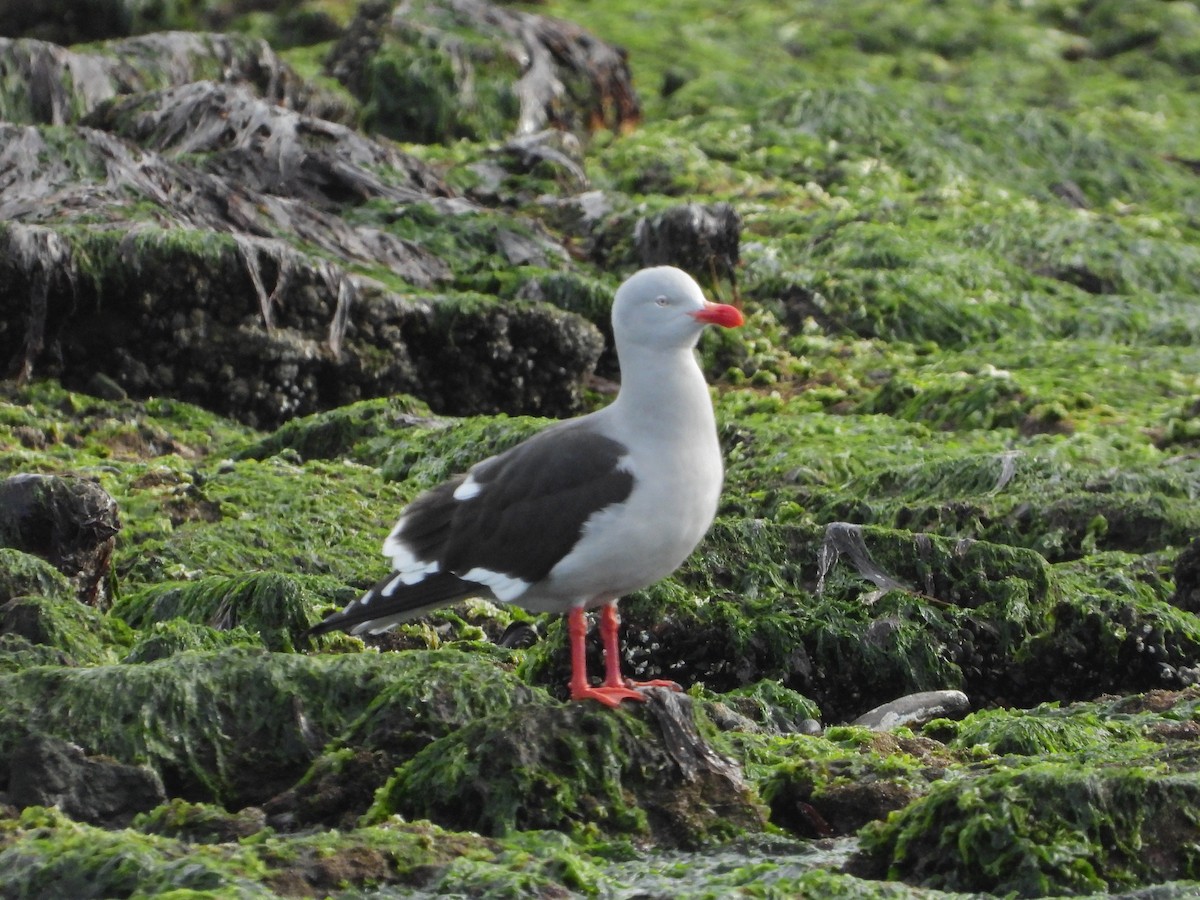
{"x":297,"y":335}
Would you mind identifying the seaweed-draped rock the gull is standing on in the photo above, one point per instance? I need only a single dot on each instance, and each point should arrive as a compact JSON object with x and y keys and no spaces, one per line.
{"x":646,"y":773}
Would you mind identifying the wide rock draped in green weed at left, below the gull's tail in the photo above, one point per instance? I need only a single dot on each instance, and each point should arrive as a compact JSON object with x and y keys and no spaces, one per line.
{"x":239,"y":727}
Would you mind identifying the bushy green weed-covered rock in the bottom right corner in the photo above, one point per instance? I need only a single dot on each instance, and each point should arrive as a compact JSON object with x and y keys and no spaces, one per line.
{"x":1047,"y":829}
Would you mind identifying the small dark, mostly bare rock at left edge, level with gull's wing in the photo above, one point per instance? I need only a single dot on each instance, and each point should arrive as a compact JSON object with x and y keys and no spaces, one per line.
{"x":68,"y":521}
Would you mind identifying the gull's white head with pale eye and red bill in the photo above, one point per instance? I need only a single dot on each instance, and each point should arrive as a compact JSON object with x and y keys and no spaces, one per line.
{"x":664,"y":308}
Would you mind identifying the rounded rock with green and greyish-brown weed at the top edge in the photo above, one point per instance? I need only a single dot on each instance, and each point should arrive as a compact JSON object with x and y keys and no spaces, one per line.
{"x":441,"y":70}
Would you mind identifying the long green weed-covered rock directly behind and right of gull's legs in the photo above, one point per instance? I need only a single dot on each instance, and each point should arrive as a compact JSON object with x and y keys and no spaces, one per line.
{"x":899,"y":613}
